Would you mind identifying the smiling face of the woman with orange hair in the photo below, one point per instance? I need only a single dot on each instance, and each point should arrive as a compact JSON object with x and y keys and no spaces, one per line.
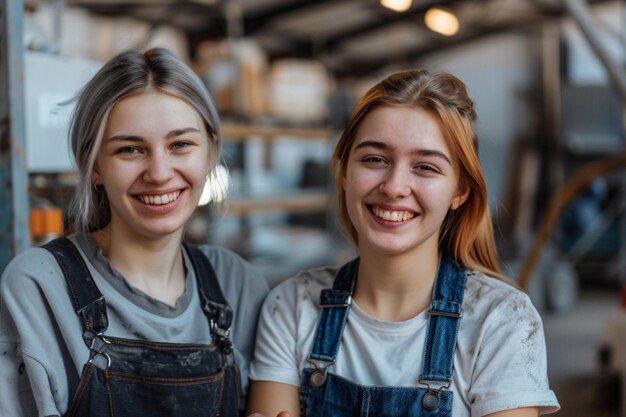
{"x":400,"y":181}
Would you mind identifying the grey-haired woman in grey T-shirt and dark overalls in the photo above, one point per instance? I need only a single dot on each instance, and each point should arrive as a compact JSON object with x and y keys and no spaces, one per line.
{"x":122,"y":317}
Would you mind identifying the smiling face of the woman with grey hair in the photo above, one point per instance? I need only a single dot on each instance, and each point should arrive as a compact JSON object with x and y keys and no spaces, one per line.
{"x":153,"y":163}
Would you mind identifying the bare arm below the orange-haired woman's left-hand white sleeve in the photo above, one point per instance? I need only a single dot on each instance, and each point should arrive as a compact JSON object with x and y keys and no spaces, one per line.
{"x":272,"y":398}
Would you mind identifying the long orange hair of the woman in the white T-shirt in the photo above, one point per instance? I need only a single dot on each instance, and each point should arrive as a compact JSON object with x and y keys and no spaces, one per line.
{"x":466,"y":233}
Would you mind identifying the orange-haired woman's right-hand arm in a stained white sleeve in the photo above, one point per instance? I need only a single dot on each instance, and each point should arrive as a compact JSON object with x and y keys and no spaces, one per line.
{"x":509,"y":376}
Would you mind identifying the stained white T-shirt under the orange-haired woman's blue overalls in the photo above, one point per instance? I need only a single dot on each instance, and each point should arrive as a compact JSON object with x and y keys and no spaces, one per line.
{"x":499,"y":363}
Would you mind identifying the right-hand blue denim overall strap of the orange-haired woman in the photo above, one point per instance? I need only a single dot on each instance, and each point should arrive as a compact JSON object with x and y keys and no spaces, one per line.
{"x":445,"y":313}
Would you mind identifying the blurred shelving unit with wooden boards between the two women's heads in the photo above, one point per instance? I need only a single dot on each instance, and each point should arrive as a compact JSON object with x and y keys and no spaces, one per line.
{"x":259,"y":223}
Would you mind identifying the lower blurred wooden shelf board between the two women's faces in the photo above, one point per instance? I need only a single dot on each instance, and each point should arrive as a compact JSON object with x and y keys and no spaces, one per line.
{"x":303,"y":202}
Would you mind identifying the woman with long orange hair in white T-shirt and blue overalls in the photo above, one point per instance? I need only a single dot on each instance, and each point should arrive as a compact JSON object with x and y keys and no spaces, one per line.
{"x":422,"y":323}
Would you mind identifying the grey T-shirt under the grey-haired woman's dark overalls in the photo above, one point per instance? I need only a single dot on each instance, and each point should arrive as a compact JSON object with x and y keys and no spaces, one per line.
{"x":39,"y":327}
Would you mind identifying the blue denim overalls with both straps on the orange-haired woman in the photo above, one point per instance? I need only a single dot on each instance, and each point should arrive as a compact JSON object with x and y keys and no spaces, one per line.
{"x":323,"y":394}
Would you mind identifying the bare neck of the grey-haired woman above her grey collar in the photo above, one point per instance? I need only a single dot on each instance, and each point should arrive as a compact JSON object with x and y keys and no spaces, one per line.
{"x":154,"y":266}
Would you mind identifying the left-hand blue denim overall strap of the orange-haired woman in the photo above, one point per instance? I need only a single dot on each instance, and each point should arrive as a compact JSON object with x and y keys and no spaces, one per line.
{"x":335,"y":303}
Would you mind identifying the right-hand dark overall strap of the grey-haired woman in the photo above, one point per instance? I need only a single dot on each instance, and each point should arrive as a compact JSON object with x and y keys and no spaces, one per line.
{"x":215,"y":306}
